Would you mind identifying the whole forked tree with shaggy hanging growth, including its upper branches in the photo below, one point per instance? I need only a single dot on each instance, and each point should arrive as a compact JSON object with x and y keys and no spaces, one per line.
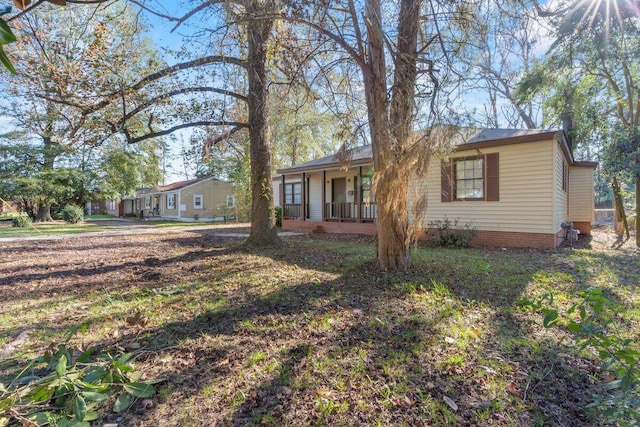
{"x":398,"y":48}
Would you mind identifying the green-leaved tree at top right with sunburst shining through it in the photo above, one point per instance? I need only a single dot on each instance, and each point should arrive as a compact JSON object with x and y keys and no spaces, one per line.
{"x":593,"y":70}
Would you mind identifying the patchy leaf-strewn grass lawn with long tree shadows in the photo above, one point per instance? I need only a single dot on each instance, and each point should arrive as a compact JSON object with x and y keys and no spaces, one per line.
{"x":311,"y":334}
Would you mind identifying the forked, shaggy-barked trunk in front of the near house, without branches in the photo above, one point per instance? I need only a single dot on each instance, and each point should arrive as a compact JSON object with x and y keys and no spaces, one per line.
{"x":391,"y":127}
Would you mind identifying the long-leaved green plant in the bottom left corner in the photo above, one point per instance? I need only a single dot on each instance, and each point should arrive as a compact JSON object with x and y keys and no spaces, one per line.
{"x":68,"y":391}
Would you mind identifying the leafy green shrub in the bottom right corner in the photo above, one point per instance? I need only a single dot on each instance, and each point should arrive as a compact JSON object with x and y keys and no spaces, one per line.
{"x":591,"y":321}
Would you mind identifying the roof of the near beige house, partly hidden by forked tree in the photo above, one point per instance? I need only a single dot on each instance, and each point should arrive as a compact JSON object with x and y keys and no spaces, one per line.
{"x":464,"y":136}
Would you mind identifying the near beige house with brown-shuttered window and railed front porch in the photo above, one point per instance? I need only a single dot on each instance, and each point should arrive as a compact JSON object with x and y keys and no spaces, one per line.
{"x":516,"y":187}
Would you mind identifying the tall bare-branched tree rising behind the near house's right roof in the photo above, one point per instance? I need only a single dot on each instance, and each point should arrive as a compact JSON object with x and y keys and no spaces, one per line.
{"x":492,"y":53}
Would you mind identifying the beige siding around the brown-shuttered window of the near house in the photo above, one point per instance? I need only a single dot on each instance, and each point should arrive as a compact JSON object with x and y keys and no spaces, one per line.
{"x":526,"y":180}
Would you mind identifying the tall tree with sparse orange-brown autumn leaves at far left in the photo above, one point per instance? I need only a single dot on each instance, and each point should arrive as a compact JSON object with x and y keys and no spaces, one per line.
{"x":58,"y":64}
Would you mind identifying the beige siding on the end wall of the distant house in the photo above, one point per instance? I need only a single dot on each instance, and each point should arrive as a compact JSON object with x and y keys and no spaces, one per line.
{"x":214,"y":194}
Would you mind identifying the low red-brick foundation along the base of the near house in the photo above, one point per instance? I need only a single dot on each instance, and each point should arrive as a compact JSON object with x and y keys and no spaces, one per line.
{"x":483,"y":237}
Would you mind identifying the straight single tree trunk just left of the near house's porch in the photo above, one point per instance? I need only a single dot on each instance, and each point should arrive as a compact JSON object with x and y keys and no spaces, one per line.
{"x":263,"y":224}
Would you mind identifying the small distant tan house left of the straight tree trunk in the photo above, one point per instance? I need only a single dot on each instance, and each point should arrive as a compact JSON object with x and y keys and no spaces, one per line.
{"x":202,"y":199}
